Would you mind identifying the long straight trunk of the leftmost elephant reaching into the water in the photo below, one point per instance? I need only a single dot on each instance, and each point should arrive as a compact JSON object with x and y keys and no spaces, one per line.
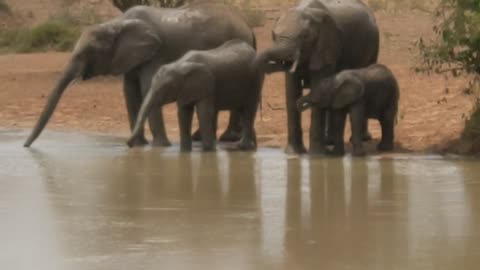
{"x":68,"y":76}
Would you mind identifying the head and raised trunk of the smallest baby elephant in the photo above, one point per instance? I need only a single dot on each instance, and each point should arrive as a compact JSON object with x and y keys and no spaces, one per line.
{"x":335,"y":92}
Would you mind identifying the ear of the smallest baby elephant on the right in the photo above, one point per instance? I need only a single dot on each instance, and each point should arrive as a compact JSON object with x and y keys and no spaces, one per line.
{"x":347,"y":91}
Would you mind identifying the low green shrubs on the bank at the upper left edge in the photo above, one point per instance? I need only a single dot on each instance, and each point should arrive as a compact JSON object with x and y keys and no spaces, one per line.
{"x":57,"y":34}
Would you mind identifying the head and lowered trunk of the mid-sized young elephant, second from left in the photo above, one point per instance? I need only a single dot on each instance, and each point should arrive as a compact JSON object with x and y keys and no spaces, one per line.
{"x":184,"y":82}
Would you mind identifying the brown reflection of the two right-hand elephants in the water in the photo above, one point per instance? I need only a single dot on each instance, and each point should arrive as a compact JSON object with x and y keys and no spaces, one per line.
{"x":340,"y":230}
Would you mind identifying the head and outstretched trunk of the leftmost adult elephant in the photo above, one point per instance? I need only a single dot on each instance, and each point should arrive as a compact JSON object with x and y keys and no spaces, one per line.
{"x":111,"y":48}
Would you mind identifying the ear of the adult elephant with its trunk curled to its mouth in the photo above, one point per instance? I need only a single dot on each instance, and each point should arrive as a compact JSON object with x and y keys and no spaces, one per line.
{"x":327,"y":47}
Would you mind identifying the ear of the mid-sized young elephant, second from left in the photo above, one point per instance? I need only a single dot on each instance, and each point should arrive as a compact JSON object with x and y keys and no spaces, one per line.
{"x":198,"y":82}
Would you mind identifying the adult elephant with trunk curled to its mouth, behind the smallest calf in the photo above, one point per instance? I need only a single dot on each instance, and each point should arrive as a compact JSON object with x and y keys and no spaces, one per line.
{"x":315,"y":40}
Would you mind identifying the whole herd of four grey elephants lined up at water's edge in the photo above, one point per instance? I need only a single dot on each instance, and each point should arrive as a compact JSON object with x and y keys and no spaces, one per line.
{"x":203,"y":56}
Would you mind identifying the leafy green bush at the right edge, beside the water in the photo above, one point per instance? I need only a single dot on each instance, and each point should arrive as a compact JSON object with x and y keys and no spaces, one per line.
{"x":456,"y":51}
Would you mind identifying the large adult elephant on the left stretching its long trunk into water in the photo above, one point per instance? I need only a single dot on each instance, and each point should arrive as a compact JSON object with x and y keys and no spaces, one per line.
{"x":136,"y":44}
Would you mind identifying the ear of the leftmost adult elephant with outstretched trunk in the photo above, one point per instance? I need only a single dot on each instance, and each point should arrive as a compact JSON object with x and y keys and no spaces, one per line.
{"x":135,"y":43}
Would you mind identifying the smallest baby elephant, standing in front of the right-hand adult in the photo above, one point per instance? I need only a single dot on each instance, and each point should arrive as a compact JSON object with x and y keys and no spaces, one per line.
{"x":370,"y":92}
